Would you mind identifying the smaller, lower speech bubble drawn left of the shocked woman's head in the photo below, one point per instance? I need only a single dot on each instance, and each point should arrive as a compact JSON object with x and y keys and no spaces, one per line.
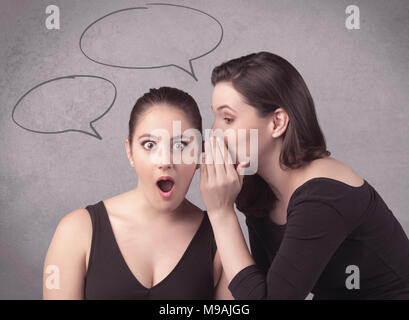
{"x":65,"y":104}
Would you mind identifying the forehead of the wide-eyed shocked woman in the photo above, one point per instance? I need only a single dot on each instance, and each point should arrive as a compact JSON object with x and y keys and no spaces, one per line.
{"x":162,"y":117}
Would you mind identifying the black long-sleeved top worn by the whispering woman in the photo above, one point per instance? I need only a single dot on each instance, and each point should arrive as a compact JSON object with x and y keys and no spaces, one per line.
{"x":330,"y":226}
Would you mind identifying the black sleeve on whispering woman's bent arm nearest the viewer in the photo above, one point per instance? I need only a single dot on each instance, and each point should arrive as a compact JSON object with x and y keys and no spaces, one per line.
{"x":314,"y":231}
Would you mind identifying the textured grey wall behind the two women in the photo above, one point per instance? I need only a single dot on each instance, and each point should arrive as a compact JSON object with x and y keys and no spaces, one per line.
{"x":359,"y":80}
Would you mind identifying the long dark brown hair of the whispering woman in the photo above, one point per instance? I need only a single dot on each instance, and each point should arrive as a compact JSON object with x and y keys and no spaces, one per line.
{"x":267,"y":82}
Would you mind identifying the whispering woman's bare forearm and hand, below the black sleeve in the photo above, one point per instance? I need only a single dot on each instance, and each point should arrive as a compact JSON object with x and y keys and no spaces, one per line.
{"x":220,"y":185}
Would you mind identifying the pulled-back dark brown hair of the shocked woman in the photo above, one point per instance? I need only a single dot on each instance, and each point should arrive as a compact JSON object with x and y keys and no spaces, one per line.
{"x":172,"y":97}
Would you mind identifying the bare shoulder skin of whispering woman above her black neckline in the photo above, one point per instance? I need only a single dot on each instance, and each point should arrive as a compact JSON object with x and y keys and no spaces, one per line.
{"x":332,"y":168}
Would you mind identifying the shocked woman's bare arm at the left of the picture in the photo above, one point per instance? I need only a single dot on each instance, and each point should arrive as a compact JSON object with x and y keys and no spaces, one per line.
{"x":65,"y":264}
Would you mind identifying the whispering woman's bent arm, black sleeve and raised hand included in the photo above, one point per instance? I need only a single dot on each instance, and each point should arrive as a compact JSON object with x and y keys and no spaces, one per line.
{"x":314,"y":231}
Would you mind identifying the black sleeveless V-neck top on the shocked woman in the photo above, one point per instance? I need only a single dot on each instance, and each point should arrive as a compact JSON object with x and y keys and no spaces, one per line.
{"x":109,"y":277}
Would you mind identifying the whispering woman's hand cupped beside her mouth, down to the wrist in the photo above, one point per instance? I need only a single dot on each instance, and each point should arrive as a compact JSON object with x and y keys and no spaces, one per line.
{"x":220,"y":181}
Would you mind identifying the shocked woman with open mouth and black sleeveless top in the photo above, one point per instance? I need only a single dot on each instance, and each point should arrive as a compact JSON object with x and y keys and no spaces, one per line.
{"x":149,"y":242}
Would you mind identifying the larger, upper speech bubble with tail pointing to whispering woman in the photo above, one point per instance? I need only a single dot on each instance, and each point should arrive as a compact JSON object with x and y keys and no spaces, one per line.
{"x":157,"y":35}
